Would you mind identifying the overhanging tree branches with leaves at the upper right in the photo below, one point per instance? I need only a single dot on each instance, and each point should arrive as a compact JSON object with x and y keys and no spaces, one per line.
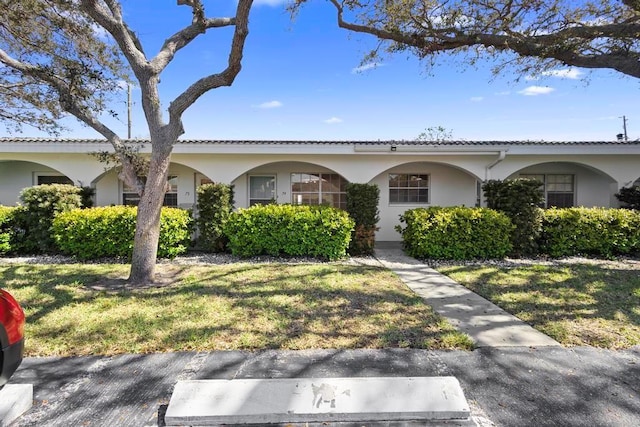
{"x":542,"y":34}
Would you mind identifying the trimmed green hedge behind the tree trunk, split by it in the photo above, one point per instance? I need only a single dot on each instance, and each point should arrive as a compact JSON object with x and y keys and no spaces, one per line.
{"x":109,"y":231}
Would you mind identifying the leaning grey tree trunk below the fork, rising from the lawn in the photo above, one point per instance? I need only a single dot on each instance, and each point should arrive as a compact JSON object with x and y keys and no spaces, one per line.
{"x":145,"y":244}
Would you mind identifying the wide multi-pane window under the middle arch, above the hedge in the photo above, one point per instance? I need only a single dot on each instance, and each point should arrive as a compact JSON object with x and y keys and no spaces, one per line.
{"x":319,"y":189}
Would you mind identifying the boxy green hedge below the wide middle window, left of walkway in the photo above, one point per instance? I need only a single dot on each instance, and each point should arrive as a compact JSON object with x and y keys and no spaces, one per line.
{"x":317,"y":231}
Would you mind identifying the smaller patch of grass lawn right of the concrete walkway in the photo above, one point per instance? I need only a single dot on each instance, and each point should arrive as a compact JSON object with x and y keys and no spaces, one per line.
{"x":594,"y":303}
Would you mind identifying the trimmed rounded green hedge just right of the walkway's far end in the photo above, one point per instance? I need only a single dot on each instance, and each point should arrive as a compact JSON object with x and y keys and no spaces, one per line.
{"x":456,"y":233}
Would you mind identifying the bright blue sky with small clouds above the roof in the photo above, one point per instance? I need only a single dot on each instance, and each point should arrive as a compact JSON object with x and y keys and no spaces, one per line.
{"x":300,"y":81}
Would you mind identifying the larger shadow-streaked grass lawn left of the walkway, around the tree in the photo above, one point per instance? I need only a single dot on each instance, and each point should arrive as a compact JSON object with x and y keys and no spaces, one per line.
{"x":82,"y":309}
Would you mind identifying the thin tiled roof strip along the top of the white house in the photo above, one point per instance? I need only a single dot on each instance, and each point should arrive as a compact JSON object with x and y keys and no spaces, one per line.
{"x":307,"y":142}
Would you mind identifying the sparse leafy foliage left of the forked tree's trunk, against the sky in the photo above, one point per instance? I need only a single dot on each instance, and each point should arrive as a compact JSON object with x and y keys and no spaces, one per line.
{"x":52,"y":63}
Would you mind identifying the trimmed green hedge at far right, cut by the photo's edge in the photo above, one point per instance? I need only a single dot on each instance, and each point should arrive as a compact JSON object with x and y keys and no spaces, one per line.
{"x":590,"y":231}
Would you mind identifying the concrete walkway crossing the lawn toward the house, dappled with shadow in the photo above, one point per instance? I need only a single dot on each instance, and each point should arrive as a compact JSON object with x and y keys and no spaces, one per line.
{"x":486,"y":323}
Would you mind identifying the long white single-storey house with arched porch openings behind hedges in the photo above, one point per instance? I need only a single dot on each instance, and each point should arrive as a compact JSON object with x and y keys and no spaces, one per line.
{"x":409,"y":174}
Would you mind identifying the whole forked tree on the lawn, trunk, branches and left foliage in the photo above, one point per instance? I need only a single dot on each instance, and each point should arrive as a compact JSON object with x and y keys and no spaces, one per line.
{"x":62,"y":57}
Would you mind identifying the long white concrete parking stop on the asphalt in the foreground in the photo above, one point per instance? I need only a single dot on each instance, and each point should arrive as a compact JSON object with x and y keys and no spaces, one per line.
{"x":291,"y":400}
